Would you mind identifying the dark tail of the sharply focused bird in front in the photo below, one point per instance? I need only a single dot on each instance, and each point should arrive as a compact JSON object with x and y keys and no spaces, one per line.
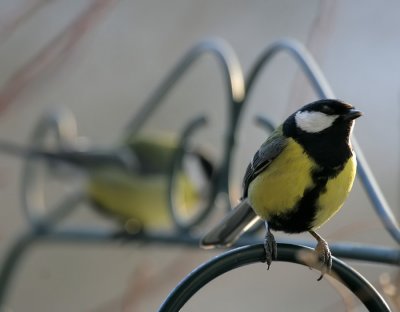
{"x":238,"y":220}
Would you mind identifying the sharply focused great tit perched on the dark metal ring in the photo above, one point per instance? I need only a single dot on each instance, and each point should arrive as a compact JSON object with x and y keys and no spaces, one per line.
{"x":297,"y":180}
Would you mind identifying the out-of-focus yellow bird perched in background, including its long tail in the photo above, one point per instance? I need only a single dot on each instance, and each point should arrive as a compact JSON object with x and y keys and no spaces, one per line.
{"x":131,"y":182}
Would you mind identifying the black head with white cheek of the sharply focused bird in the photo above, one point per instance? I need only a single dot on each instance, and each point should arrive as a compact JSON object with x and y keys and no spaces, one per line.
{"x":323,"y":129}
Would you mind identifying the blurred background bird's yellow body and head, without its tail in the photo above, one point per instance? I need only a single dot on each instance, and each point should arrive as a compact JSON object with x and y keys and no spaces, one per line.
{"x":138,"y":198}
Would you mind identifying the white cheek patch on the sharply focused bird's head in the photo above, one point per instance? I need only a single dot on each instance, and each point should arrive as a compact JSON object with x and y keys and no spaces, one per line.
{"x":313,"y":122}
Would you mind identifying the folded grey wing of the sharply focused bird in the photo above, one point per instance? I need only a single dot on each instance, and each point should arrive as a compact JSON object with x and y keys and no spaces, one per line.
{"x":268,"y":151}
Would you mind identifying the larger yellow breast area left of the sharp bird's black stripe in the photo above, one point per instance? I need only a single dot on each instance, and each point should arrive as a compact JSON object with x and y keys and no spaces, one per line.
{"x":278,"y":188}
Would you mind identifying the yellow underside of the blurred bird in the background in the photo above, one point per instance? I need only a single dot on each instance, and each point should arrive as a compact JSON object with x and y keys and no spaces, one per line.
{"x":142,"y":198}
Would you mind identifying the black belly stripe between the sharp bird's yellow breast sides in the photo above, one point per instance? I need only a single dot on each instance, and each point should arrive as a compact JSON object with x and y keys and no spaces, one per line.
{"x":301,"y":217}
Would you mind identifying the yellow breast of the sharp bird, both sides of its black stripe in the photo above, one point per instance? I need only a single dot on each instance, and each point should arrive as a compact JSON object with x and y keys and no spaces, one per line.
{"x":278,"y":189}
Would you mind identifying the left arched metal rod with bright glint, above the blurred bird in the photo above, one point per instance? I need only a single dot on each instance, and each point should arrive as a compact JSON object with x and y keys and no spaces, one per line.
{"x":235,"y":91}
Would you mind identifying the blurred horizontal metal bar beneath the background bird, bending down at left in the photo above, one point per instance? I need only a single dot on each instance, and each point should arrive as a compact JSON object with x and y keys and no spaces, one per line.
{"x":45,"y":234}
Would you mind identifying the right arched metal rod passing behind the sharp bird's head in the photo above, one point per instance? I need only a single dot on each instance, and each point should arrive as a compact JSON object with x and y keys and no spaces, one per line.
{"x":323,"y":89}
